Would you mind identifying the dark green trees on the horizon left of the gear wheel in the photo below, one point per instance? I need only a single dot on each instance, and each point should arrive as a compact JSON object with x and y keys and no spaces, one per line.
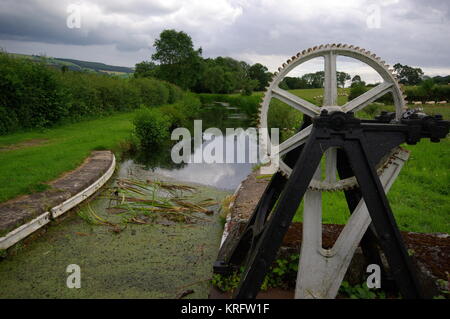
{"x":177,"y":61}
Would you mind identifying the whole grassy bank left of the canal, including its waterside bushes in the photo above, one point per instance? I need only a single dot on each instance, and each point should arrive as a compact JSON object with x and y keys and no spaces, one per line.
{"x":29,"y":159}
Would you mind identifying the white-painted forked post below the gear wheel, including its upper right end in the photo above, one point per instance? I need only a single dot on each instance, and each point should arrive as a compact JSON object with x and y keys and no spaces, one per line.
{"x":321,"y":271}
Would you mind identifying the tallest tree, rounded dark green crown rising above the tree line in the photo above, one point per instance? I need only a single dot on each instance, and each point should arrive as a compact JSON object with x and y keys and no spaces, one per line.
{"x":179,"y":63}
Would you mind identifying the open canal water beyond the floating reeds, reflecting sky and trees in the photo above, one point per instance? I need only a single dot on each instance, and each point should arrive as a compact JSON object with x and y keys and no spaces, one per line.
{"x":220,"y":175}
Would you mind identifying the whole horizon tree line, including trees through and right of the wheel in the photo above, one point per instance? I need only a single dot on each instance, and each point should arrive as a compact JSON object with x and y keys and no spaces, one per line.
{"x":177,"y":61}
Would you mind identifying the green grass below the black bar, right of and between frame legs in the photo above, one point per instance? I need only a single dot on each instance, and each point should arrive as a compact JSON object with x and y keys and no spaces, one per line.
{"x":419,"y":197}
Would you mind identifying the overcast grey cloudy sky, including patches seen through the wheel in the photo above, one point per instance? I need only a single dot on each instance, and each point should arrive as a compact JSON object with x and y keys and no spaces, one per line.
{"x":413,"y":32}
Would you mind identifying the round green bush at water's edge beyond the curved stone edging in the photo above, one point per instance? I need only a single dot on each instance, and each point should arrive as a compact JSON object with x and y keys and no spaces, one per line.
{"x":151,"y":127}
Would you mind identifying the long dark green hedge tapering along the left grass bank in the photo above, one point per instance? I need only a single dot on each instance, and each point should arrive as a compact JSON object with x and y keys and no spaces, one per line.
{"x":34,"y":95}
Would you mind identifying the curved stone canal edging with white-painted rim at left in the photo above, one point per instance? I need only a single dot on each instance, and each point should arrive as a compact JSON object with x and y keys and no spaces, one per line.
{"x":24,"y":215}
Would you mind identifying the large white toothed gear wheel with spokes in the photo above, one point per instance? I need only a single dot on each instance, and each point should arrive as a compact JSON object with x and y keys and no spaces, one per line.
{"x":329,"y":52}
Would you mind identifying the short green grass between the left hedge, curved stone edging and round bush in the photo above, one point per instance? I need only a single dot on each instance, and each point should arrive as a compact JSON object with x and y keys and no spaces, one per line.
{"x":54,"y":151}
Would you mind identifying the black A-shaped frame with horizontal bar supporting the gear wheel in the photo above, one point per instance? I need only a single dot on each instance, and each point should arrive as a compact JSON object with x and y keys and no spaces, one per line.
{"x":362,"y":145}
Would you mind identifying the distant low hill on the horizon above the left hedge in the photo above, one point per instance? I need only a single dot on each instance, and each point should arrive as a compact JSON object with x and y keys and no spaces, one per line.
{"x":78,"y":65}
